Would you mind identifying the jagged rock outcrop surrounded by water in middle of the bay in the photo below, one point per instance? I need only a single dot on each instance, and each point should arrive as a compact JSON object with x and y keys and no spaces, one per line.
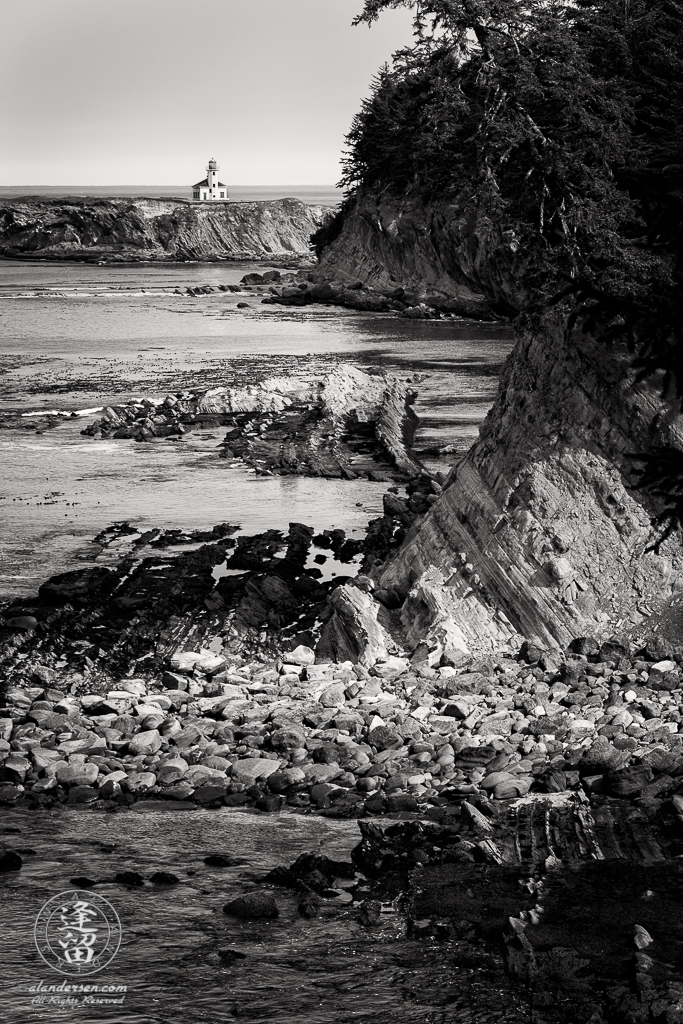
{"x":347,"y":423}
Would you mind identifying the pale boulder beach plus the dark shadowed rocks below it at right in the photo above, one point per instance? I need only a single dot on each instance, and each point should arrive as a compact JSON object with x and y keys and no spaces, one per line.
{"x":535,"y":800}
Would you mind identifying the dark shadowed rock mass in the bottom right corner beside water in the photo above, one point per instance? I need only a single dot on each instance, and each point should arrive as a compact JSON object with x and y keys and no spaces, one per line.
{"x":580,"y":897}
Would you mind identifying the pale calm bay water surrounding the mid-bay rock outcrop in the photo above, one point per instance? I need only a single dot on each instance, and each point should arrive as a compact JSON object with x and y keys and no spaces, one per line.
{"x":76,"y":338}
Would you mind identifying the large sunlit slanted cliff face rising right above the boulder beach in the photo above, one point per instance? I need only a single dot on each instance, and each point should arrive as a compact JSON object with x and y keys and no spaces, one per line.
{"x":538,"y":529}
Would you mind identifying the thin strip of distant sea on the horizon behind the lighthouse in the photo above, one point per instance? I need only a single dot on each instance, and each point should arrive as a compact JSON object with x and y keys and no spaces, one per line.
{"x":323,"y":195}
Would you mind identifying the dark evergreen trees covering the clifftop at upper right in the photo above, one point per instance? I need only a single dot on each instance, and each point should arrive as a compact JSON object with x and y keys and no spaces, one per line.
{"x":565,"y":119}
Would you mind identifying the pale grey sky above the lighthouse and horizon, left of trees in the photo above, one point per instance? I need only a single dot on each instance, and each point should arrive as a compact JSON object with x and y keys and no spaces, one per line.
{"x":145,"y":92}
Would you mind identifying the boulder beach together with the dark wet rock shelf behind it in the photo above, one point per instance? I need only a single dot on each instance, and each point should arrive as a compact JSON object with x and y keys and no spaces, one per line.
{"x":267,"y":688}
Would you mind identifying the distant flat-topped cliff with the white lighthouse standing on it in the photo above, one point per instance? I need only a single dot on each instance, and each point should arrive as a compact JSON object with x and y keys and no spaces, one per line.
{"x":114,"y":230}
